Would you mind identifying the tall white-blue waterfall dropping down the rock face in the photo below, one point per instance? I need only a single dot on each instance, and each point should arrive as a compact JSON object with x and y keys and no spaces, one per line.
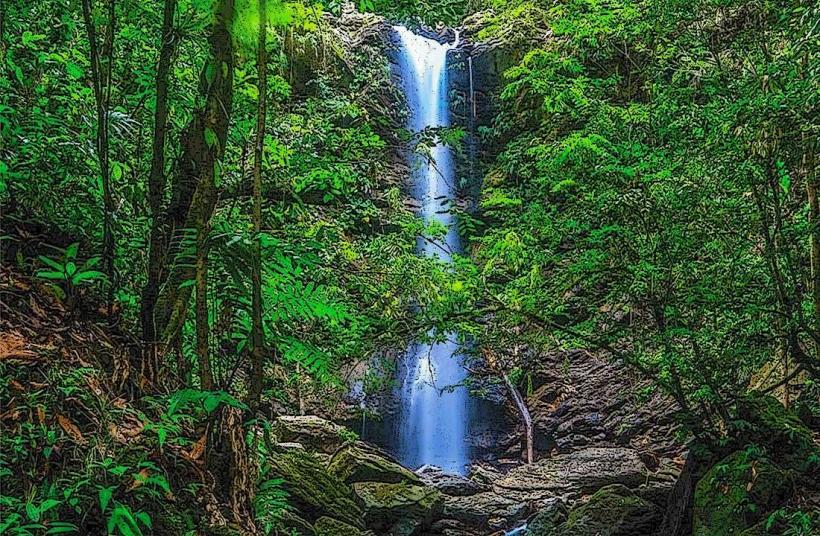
{"x":433,"y":423}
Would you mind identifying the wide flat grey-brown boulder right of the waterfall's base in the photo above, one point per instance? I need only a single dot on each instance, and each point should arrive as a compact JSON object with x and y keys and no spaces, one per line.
{"x":581,"y":471}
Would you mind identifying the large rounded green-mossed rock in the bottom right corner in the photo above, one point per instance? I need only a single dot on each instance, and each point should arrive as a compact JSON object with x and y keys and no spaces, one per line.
{"x":736,"y":493}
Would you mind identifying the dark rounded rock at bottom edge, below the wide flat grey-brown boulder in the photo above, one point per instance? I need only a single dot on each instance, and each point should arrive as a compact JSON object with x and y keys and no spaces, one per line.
{"x":612,"y":511}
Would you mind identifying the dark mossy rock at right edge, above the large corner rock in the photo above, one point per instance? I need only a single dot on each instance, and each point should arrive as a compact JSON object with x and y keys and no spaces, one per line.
{"x":780,"y":430}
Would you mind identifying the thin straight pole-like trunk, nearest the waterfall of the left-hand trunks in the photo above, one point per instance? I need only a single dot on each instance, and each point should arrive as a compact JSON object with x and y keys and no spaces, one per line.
{"x":257,"y":368}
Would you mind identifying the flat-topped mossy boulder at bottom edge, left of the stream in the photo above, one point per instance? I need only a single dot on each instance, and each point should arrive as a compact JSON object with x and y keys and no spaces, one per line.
{"x":398,"y":509}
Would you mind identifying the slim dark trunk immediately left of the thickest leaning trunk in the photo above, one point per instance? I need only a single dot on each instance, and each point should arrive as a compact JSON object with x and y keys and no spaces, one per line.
{"x":156,"y":191}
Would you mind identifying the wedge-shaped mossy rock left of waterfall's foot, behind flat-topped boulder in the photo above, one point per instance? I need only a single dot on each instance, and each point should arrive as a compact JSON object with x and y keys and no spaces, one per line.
{"x":360,"y":463}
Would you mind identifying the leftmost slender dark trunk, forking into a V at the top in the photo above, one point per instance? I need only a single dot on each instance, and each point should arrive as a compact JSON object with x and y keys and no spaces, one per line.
{"x":102,"y":59}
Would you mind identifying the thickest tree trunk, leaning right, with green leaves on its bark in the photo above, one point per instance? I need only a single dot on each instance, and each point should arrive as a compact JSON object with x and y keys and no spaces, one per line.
{"x":194,"y":191}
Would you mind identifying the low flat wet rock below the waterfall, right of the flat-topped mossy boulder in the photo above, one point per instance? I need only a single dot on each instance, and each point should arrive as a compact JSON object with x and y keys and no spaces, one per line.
{"x":485,"y":510}
